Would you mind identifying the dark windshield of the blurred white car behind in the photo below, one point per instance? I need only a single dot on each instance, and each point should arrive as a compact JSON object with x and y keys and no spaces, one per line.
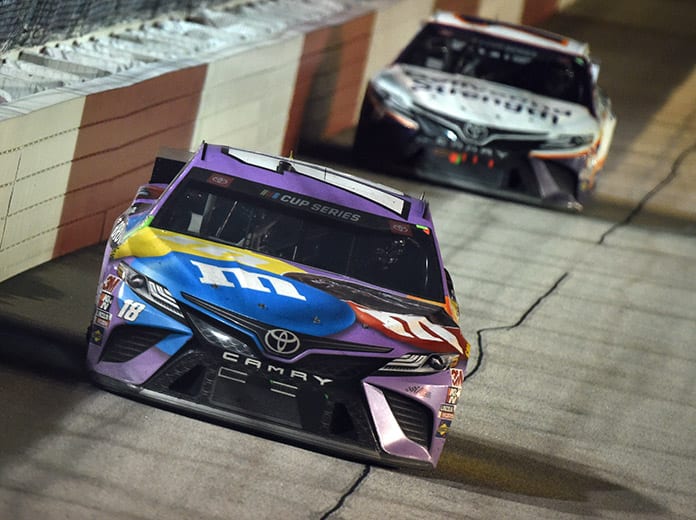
{"x":538,"y":70}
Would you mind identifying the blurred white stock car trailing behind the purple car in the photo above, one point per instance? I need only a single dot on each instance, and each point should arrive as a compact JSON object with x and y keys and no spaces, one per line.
{"x":492,"y":107}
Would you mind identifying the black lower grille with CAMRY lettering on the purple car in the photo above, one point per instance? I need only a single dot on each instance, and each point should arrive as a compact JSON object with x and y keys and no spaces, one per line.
{"x":284,"y":393}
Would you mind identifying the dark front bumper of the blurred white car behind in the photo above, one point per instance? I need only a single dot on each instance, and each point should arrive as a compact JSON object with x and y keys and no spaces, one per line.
{"x":505,"y":169}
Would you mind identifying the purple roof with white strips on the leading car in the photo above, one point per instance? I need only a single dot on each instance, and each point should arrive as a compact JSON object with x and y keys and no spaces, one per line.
{"x":386,"y":197}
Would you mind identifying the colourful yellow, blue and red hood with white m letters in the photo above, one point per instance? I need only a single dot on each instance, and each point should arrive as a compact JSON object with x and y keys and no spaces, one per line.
{"x":276,"y":293}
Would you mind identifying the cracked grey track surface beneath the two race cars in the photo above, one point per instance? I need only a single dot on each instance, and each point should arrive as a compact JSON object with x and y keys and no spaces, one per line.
{"x":580,"y":398}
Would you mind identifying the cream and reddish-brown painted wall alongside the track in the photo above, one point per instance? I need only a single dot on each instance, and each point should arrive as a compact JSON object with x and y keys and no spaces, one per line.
{"x":71,"y":158}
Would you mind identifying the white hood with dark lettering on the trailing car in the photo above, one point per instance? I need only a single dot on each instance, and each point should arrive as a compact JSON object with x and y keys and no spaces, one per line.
{"x":484,"y":102}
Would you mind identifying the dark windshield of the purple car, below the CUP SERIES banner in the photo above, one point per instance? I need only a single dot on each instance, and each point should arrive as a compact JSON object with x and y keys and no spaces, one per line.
{"x":389,"y":254}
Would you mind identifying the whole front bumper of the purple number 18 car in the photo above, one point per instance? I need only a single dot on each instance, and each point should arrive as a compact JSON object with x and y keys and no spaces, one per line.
{"x":326,"y":400}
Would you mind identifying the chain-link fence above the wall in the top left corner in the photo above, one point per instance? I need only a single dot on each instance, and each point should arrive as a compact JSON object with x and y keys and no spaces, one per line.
{"x":28,"y":23}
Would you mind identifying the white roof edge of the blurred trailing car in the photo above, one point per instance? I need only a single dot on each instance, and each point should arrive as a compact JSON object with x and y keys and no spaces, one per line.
{"x":522,"y":33}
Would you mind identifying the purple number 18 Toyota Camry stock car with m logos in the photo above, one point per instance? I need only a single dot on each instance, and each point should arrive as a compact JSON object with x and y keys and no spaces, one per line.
{"x":284,"y":298}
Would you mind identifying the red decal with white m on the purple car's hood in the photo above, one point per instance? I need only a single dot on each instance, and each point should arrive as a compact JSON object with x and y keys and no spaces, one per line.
{"x":417,"y":330}
